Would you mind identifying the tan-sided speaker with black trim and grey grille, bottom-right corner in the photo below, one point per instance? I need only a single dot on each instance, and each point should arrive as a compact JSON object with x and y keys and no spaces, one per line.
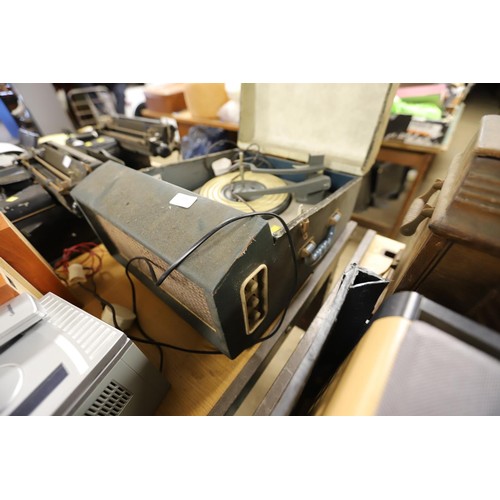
{"x":418,"y":358}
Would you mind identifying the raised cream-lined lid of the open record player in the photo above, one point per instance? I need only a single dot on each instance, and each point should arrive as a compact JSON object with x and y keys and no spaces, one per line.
{"x":343,"y":121}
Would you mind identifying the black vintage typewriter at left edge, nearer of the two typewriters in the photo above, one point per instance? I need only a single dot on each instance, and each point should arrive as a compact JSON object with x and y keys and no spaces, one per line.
{"x":37,"y":197}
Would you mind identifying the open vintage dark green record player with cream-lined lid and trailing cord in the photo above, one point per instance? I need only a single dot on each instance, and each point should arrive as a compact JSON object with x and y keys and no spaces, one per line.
{"x":302,"y":149}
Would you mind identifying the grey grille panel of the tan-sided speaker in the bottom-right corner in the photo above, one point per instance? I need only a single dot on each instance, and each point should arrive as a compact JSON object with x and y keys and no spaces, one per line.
{"x":438,"y":374}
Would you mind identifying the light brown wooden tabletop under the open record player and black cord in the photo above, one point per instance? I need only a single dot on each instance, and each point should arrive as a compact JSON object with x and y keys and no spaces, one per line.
{"x":197,"y":381}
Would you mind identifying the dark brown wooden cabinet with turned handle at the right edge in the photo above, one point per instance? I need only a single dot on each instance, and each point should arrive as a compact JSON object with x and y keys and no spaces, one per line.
{"x":455,"y":257}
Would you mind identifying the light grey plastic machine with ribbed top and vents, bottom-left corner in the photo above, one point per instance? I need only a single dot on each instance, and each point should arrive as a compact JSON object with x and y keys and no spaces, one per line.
{"x":70,"y":363}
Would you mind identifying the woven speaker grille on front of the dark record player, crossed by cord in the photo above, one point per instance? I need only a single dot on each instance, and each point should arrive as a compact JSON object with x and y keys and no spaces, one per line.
{"x":177,"y":285}
